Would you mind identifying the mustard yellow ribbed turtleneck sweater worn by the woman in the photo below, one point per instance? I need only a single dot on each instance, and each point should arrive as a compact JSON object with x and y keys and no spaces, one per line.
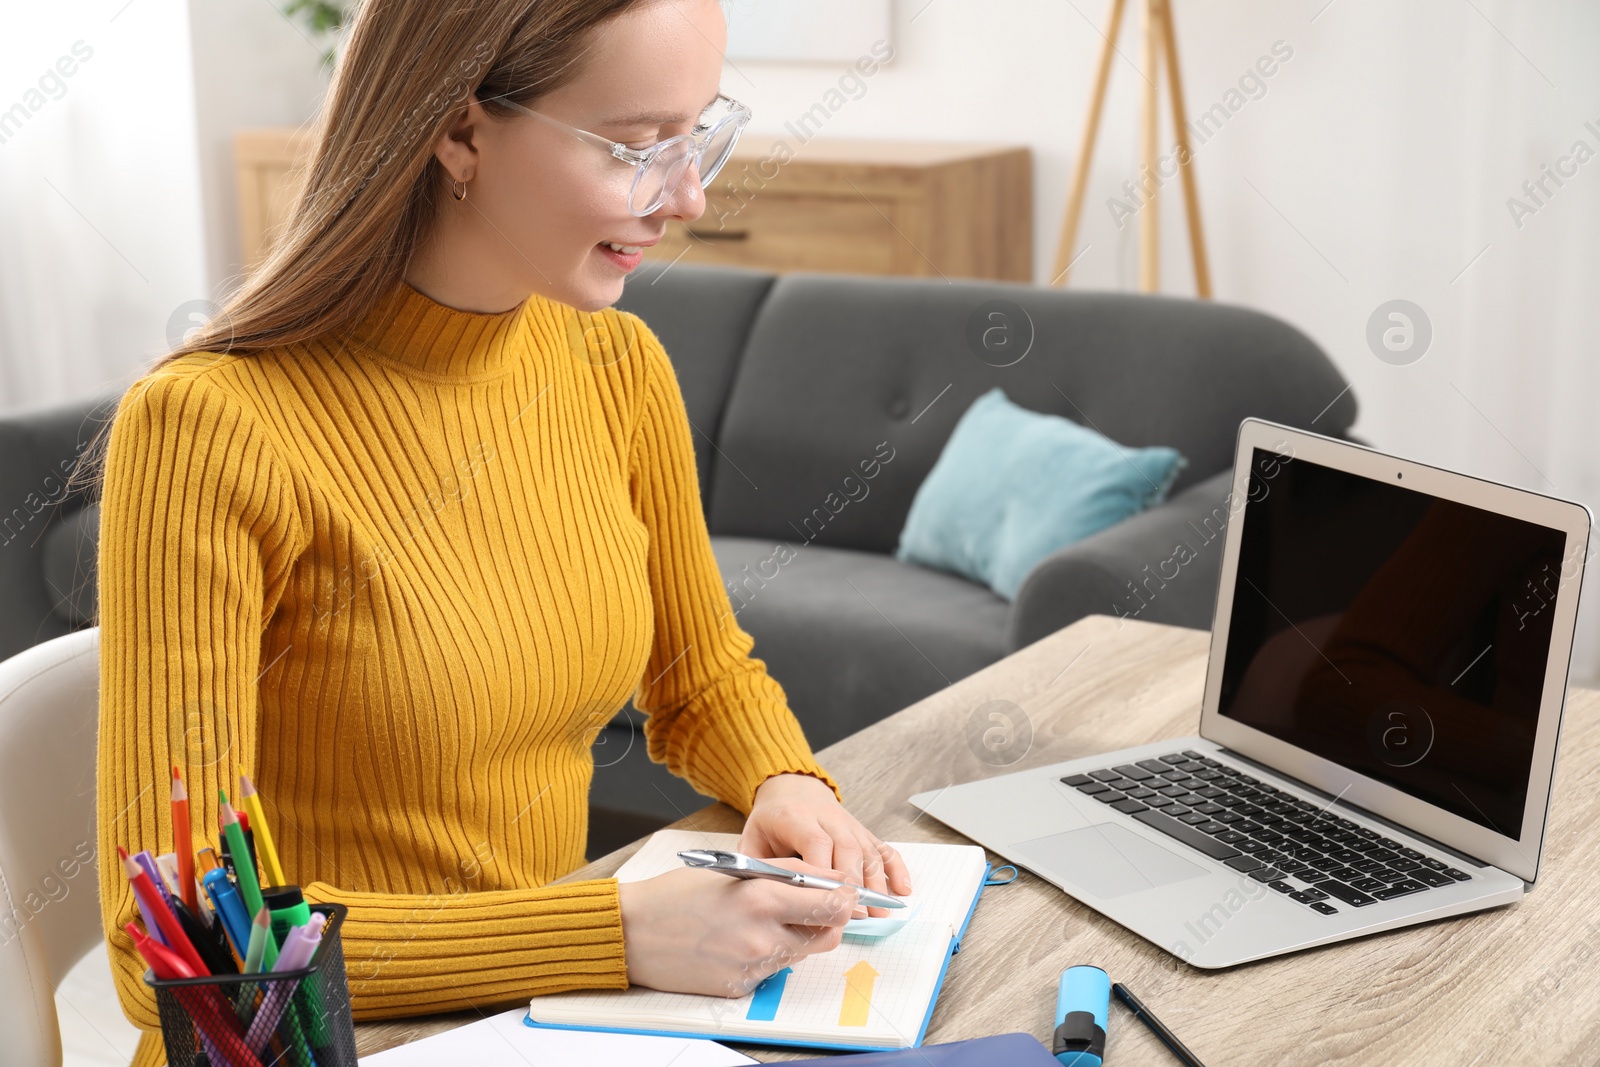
{"x":402,"y":578}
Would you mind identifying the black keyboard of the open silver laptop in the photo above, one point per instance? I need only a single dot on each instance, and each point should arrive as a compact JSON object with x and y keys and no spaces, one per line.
{"x":1266,"y":833}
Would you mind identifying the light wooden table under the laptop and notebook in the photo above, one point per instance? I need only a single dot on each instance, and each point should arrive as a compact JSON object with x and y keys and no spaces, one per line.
{"x":1514,"y":985}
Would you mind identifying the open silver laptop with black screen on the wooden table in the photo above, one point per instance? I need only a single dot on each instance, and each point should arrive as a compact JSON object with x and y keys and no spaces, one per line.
{"x":1378,"y":729}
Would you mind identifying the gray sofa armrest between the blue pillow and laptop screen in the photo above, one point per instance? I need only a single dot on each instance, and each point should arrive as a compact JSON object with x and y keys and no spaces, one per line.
{"x":1161,"y":565}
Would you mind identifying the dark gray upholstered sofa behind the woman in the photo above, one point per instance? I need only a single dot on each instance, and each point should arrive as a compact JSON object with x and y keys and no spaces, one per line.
{"x":818,"y":406}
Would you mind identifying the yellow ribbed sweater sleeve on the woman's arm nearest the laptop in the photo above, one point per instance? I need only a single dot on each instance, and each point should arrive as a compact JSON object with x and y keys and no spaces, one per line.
{"x":716,"y":717}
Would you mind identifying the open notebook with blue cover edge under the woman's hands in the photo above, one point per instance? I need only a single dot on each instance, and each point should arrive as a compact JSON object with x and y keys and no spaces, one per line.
{"x":874,"y":993}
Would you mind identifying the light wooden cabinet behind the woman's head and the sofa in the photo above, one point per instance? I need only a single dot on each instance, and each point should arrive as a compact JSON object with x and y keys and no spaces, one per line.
{"x":847,"y":206}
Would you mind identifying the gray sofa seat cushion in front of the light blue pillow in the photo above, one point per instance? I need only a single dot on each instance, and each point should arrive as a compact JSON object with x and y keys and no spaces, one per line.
{"x":857,"y":636}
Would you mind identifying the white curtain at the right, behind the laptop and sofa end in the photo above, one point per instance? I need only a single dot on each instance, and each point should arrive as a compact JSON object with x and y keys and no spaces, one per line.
{"x":1377,"y":164}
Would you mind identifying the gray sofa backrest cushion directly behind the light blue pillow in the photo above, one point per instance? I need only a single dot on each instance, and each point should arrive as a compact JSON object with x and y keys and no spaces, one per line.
{"x":841,"y":369}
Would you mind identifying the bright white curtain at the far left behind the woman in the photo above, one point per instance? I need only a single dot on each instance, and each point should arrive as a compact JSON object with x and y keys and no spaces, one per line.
{"x":100,"y":239}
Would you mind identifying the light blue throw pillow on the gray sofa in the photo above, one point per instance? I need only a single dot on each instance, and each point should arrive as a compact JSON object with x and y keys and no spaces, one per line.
{"x":1014,"y":486}
